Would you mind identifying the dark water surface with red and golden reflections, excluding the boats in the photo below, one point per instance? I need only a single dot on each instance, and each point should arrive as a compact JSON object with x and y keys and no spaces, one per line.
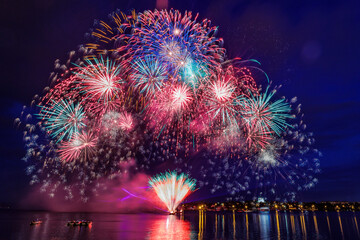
{"x":191,"y":225}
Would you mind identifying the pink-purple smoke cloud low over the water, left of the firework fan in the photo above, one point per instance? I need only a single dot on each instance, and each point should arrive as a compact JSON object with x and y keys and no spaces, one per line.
{"x":129,"y":196}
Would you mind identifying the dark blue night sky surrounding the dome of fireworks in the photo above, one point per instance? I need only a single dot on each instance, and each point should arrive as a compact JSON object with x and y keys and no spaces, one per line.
{"x":310,"y":47}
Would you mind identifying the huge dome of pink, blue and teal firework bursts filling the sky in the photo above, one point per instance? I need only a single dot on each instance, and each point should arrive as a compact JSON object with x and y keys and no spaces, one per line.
{"x":156,"y":88}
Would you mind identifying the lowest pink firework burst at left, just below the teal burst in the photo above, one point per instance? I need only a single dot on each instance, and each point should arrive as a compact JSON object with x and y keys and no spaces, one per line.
{"x":79,"y":147}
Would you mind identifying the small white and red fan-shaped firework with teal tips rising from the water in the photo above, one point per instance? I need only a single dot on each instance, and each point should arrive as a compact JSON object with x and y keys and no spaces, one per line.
{"x":172,"y":189}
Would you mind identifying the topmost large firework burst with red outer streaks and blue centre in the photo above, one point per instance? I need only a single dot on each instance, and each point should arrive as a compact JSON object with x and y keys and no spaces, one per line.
{"x":175,"y":38}
